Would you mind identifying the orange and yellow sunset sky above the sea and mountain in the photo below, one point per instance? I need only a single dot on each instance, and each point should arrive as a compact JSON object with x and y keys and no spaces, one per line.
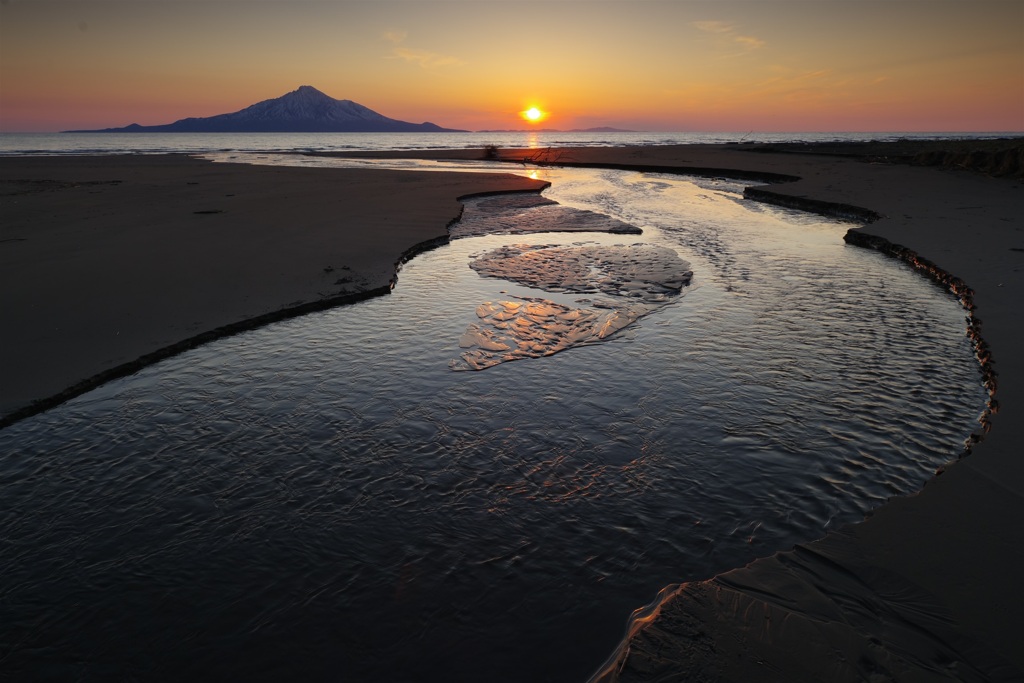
{"x":643,"y":65}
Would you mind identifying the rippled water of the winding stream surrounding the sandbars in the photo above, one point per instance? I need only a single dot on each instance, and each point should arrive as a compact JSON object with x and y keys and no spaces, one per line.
{"x":325,"y":500}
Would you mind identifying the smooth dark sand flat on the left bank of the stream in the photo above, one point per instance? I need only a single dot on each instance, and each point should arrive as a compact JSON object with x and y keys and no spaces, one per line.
{"x":110,"y":264}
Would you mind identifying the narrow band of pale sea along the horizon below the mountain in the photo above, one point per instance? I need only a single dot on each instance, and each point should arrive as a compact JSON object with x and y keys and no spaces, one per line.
{"x":51,"y":144}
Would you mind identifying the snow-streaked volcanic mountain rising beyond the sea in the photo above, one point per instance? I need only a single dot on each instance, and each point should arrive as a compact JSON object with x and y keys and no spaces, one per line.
{"x":304,"y":111}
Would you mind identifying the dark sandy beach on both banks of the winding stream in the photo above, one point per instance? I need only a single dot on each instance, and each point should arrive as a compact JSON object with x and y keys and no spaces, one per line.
{"x":111,"y":264}
